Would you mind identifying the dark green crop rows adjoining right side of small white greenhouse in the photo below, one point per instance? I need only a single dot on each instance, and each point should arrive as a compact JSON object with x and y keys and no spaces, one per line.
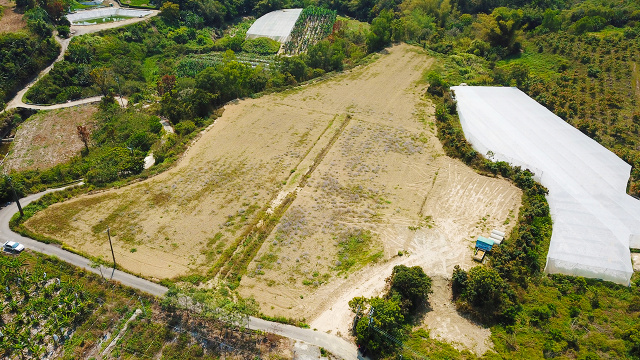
{"x":313,"y":25}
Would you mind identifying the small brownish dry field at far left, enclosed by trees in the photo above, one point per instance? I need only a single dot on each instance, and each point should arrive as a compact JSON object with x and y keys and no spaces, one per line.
{"x":49,"y":138}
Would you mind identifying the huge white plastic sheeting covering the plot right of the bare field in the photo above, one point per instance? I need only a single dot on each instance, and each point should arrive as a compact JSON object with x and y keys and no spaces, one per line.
{"x":594,"y":220}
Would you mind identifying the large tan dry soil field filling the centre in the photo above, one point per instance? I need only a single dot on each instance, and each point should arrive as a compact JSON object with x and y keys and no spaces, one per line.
{"x":360,"y":155}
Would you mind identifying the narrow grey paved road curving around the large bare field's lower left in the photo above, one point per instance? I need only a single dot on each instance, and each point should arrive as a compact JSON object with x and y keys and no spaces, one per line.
{"x":333,"y":344}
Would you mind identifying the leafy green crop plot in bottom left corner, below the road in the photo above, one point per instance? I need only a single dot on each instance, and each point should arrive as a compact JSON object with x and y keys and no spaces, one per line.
{"x":37,"y":310}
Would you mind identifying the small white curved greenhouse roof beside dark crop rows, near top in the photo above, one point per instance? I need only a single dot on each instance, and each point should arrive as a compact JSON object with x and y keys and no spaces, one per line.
{"x":276,"y":25}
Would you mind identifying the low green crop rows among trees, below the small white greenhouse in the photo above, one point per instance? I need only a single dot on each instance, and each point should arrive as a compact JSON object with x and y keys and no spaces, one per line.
{"x":191,"y":65}
